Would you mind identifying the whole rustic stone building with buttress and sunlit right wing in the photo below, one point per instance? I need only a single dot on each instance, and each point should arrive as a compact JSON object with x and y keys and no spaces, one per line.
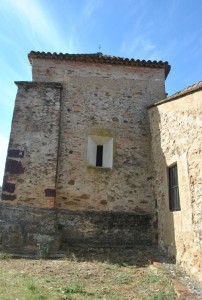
{"x":91,"y":145}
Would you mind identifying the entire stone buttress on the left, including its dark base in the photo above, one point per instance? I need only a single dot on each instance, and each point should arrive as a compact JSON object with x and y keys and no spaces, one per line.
{"x":31,"y":170}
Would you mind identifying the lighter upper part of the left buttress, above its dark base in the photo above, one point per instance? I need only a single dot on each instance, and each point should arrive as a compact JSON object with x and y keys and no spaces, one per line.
{"x":31,"y":166}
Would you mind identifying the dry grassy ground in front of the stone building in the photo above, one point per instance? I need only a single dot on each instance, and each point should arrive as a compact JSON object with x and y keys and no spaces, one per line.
{"x":86,"y":274}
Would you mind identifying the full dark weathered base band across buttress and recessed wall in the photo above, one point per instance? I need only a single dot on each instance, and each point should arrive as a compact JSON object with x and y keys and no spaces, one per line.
{"x":25,"y":229}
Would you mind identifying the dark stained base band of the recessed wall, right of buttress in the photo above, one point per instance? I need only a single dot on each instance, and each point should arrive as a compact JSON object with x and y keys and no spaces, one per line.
{"x":105,"y":229}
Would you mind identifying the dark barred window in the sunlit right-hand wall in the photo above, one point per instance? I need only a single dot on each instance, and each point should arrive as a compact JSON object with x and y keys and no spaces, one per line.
{"x":174,"y":197}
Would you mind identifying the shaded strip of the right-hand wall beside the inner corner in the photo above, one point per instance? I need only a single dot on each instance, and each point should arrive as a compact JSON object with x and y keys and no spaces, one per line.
{"x":163,"y":223}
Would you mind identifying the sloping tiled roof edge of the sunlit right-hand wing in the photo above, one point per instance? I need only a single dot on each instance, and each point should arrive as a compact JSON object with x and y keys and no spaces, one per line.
{"x":189,"y":90}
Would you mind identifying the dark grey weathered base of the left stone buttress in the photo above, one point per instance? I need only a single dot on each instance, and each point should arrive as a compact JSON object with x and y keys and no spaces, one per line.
{"x":23,"y":229}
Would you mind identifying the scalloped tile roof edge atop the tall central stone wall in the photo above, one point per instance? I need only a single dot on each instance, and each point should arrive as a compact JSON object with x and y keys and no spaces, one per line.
{"x":101,"y":58}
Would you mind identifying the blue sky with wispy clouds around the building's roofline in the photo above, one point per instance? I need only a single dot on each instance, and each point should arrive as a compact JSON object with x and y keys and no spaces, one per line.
{"x":168,"y":30}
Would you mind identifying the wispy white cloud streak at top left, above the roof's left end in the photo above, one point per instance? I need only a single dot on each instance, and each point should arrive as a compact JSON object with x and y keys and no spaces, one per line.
{"x":37,"y":26}
